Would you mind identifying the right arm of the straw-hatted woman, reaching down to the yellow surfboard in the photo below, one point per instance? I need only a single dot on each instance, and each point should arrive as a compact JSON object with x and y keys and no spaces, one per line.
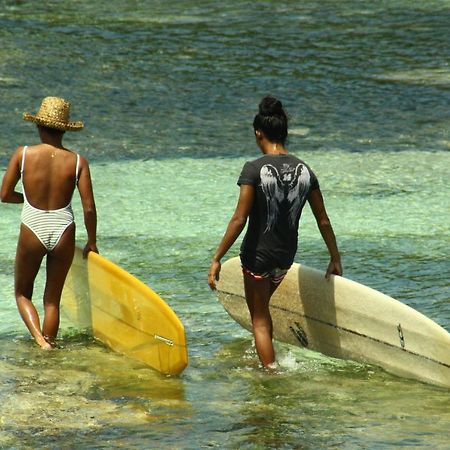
{"x":89,"y":209}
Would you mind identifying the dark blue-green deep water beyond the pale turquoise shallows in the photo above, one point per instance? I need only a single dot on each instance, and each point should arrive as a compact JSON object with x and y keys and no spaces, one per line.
{"x":180,"y":79}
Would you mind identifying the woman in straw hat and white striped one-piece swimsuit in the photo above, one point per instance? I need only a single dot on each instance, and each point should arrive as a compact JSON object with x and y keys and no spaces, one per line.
{"x":50,"y":172}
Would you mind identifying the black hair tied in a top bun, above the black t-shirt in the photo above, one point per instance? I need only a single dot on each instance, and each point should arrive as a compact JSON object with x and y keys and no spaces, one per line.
{"x":272,"y":120}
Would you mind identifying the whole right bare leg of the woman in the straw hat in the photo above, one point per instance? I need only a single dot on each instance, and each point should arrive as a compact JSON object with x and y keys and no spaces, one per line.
{"x":59,"y":261}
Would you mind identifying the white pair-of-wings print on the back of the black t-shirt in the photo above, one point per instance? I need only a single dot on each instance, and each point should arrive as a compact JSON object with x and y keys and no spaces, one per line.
{"x":290,"y":185}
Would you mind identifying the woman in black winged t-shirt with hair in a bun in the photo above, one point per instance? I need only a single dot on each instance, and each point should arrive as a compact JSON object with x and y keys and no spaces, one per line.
{"x":273,"y":190}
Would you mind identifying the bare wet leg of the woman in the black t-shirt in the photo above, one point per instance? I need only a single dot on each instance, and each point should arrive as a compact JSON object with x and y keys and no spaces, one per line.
{"x":258,"y":294}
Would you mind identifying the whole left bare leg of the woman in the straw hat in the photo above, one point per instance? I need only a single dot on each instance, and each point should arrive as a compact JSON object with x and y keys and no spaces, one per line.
{"x":29,"y":256}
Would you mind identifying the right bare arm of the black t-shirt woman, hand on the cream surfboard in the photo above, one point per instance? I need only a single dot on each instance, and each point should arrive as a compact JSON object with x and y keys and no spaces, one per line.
{"x":315,"y":200}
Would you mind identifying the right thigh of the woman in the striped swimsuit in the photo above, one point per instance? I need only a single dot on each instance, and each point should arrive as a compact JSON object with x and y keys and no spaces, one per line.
{"x":59,"y":261}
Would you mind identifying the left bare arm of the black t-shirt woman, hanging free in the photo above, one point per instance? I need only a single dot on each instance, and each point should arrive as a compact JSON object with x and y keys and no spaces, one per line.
{"x":234,"y":229}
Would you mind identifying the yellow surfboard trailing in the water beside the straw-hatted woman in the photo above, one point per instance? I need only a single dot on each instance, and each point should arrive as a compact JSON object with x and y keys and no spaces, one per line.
{"x":123,"y":313}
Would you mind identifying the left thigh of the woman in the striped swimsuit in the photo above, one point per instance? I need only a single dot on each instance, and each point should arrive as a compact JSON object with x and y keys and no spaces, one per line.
{"x":29,"y":255}
